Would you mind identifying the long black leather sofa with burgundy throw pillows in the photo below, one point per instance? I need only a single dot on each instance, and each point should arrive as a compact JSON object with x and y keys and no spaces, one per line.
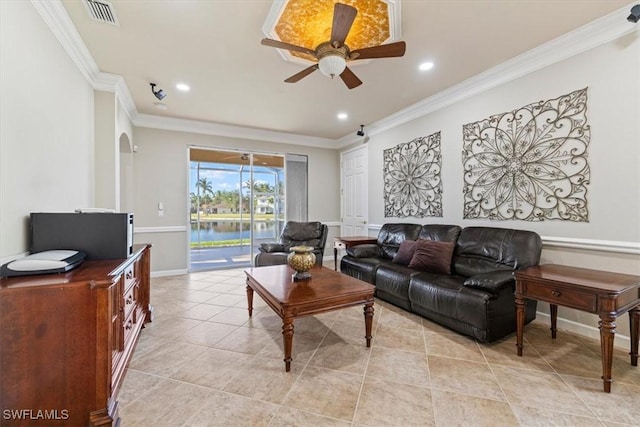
{"x":475,"y":298}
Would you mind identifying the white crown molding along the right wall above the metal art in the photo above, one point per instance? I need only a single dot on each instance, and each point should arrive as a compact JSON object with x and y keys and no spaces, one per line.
{"x":589,"y":36}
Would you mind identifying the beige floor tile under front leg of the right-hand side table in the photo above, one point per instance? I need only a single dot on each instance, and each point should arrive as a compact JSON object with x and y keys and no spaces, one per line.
{"x":621,"y":405}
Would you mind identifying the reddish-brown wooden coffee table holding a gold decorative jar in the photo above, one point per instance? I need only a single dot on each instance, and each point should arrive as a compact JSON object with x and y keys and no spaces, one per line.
{"x":327,"y":290}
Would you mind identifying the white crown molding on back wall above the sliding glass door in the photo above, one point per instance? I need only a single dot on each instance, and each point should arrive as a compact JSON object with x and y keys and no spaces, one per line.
{"x":219,"y":129}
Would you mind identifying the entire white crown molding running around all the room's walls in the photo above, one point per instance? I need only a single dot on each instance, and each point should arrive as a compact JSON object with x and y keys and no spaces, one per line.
{"x":589,"y":36}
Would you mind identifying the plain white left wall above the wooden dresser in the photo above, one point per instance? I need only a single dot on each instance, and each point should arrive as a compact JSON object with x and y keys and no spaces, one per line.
{"x":46,"y":126}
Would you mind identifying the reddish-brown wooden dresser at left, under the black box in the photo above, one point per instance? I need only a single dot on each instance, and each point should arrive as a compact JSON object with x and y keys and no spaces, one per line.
{"x":66,"y":340}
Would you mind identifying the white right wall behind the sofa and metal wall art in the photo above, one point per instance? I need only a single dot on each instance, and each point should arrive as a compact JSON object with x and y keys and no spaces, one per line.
{"x":612,"y":73}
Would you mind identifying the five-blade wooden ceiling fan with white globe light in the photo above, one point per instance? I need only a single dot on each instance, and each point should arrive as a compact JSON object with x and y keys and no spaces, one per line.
{"x":333,"y":55}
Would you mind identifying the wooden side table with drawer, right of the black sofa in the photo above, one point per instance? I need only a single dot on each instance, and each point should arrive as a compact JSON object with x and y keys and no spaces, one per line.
{"x":609,"y":295}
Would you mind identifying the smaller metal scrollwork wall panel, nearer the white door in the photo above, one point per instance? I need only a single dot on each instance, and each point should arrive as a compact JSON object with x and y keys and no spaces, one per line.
{"x":412,"y":180}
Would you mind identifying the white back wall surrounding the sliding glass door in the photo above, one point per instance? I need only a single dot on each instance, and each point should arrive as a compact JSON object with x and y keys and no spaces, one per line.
{"x":161,"y":175}
